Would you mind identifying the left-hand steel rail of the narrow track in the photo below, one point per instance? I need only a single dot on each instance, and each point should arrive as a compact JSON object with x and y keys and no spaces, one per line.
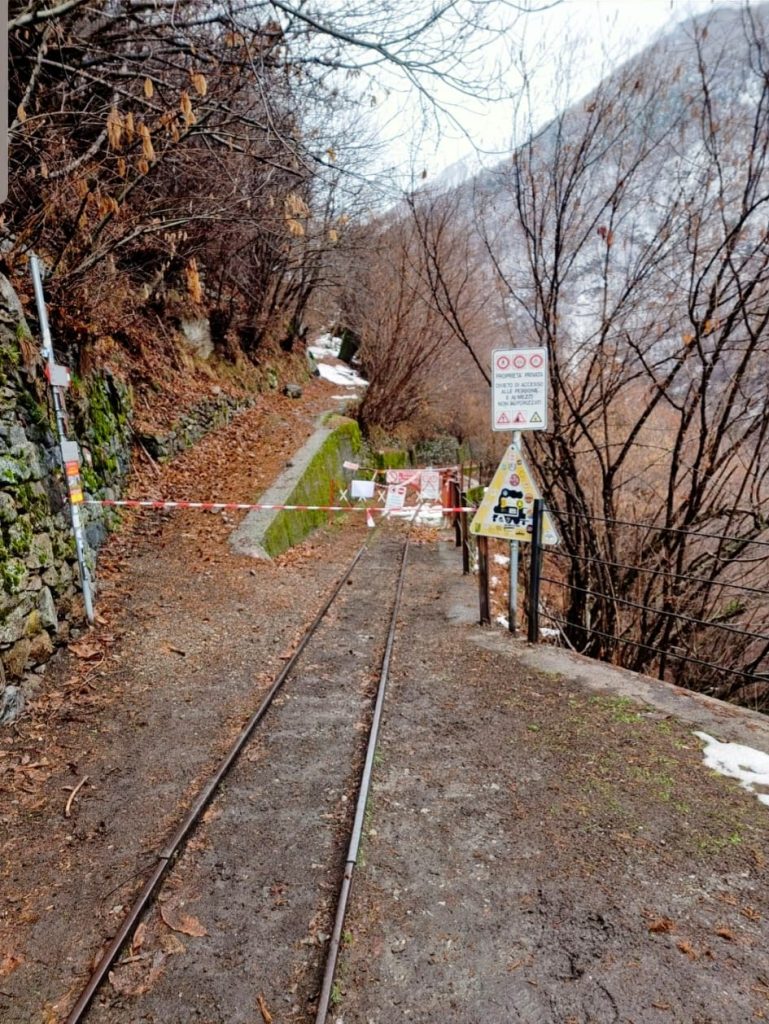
{"x":169,"y":852}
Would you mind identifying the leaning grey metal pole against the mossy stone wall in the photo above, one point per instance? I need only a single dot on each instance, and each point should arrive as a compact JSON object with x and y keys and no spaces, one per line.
{"x":59,"y":379}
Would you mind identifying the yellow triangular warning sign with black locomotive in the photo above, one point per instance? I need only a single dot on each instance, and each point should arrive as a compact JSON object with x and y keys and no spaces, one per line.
{"x":507,"y":508}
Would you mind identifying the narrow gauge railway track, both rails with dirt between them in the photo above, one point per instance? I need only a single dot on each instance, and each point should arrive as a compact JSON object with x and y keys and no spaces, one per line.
{"x":271,"y":854}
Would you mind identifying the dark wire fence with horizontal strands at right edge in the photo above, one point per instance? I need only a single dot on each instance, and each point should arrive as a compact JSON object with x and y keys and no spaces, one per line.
{"x":691,"y":607}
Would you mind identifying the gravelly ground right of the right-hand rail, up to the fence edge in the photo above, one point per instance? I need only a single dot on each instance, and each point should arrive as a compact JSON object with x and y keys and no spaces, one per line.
{"x":541,"y":852}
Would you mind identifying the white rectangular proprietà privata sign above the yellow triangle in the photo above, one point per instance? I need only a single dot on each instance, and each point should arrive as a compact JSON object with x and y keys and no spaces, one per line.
{"x":520,"y":390}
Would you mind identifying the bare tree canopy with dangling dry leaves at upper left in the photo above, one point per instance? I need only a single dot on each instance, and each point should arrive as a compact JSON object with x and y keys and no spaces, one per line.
{"x":191,"y":146}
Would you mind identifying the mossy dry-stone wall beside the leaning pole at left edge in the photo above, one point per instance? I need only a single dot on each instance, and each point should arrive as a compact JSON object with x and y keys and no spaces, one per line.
{"x":40,"y":599}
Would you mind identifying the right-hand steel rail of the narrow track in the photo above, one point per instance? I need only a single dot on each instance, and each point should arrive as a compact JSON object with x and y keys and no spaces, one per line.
{"x":363,"y":799}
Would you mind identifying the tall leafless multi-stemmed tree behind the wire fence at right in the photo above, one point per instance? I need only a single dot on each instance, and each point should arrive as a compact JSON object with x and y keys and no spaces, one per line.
{"x":640,"y":261}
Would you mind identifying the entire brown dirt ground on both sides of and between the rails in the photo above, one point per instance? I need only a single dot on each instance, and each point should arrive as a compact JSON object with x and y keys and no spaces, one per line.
{"x":536,"y":851}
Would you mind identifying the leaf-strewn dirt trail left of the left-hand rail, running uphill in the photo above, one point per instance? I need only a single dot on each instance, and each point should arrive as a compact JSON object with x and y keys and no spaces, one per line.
{"x":146,"y":704}
